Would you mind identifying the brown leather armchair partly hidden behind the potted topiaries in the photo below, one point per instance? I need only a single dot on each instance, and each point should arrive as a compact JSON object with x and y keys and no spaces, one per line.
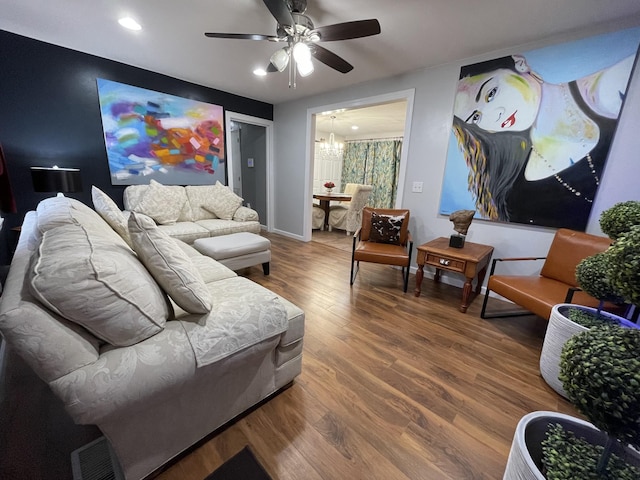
{"x":556,"y":282}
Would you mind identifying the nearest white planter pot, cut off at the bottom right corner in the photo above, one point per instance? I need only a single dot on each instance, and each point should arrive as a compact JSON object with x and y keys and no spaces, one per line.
{"x":525,"y":456}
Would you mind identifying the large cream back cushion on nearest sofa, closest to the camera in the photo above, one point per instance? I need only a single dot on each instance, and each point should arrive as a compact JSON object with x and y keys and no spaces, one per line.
{"x":101,"y":285}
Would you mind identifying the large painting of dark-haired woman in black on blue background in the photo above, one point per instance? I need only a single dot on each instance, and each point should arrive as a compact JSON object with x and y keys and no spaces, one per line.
{"x":531,"y":132}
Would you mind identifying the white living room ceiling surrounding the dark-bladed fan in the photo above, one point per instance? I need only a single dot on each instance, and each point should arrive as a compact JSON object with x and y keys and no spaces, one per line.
{"x":415,"y":34}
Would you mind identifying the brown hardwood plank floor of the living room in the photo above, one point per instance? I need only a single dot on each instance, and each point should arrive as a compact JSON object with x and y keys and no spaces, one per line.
{"x":392,"y":386}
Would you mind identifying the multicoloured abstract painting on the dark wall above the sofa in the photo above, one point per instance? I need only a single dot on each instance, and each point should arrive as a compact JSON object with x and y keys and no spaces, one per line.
{"x":153,"y":135}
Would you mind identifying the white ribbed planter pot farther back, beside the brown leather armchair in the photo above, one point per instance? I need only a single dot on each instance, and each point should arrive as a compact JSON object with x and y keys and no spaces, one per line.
{"x":559,"y":330}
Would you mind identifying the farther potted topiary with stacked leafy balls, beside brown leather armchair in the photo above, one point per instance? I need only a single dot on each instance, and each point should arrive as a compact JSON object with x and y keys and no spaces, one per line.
{"x":597,"y":275}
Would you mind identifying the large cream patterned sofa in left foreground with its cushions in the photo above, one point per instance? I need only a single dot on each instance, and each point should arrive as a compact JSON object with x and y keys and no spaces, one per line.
{"x":157,"y":344}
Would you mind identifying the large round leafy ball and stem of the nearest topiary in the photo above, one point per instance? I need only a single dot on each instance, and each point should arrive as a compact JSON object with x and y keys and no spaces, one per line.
{"x":600,"y":371}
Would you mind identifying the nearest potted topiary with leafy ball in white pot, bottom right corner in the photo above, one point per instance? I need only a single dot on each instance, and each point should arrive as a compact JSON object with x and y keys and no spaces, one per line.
{"x":600,"y":369}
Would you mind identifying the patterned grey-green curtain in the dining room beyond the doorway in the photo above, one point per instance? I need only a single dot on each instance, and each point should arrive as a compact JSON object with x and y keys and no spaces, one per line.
{"x":376,"y":163}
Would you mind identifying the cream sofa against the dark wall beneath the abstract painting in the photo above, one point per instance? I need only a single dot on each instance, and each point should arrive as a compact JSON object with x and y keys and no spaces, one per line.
{"x":192,"y":212}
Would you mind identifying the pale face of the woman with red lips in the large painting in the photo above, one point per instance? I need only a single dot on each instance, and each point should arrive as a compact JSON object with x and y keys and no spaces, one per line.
{"x":497,"y":101}
